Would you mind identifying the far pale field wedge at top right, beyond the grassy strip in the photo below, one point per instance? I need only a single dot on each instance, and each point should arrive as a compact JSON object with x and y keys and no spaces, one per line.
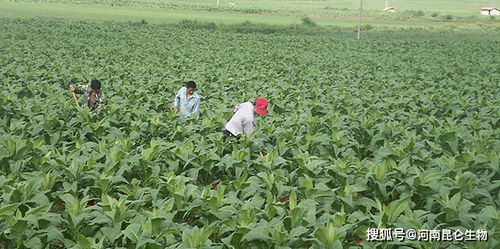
{"x":426,"y":10}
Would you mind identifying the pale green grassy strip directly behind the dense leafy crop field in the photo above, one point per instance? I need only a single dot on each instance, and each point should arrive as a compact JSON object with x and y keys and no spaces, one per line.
{"x":94,"y":12}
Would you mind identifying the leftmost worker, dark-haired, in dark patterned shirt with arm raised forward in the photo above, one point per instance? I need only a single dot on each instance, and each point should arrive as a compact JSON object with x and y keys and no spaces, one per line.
{"x":93,"y":98}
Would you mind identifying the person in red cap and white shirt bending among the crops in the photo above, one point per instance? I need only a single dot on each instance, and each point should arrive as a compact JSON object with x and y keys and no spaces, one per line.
{"x":243,"y":121}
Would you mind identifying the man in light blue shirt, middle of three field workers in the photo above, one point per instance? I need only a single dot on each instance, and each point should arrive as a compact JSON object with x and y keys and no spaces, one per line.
{"x":187,"y":101}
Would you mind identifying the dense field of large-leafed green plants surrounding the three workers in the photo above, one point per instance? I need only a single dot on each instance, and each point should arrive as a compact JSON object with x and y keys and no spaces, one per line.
{"x":377,"y":133}
